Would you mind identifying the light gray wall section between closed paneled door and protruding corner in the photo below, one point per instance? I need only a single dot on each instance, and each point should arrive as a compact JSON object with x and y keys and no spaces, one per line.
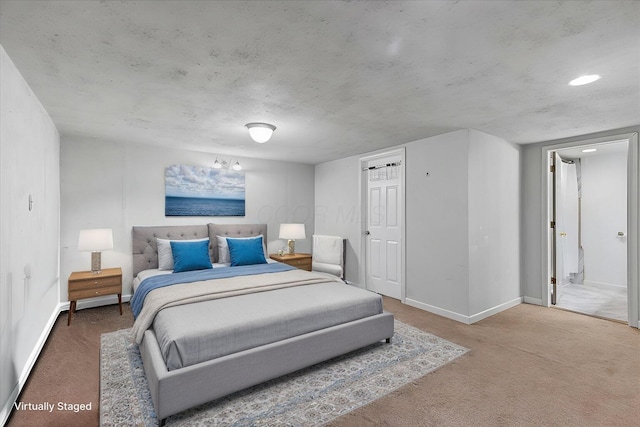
{"x":437,"y":227}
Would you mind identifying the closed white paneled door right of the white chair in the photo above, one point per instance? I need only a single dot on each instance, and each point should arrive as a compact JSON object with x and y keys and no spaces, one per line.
{"x":384,"y":227}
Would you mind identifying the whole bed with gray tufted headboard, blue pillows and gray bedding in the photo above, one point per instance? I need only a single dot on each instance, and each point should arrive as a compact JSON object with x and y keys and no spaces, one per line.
{"x":219,"y":332}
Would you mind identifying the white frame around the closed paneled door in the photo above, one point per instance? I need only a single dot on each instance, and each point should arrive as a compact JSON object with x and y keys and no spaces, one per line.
{"x":363,"y":216}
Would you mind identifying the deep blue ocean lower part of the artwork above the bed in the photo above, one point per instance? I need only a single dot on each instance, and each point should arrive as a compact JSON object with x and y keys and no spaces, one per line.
{"x":196,"y":206}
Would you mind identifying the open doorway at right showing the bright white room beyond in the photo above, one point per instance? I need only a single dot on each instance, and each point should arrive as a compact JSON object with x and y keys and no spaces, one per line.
{"x":590,"y":230}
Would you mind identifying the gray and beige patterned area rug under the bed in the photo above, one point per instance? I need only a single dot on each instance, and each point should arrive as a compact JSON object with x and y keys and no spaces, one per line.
{"x":311,"y":397}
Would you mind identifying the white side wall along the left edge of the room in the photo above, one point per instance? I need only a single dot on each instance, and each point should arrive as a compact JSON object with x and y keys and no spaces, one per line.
{"x":29,"y":157}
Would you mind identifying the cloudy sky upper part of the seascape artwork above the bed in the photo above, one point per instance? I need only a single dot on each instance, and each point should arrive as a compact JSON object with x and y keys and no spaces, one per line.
{"x":196,"y":181}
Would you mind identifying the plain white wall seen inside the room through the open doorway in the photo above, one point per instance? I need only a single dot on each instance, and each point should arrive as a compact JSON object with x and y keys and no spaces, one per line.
{"x":604,"y":213}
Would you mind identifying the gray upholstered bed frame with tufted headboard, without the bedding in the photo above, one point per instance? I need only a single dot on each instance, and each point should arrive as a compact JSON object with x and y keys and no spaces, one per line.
{"x":177,"y":390}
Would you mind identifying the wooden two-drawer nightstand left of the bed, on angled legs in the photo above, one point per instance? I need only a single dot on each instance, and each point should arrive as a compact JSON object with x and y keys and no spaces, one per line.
{"x":85,"y":284}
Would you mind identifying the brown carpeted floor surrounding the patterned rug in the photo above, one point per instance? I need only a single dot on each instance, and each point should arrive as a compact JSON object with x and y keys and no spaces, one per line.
{"x":527,"y":366}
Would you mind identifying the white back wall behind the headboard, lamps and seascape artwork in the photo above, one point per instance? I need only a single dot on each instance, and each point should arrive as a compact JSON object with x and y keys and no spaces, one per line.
{"x":117,"y":185}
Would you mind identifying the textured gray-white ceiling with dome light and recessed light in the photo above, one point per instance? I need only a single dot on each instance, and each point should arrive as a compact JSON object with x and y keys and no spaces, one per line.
{"x":336,"y":78}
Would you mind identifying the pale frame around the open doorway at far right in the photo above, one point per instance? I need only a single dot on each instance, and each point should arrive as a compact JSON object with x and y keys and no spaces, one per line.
{"x":633,"y":186}
